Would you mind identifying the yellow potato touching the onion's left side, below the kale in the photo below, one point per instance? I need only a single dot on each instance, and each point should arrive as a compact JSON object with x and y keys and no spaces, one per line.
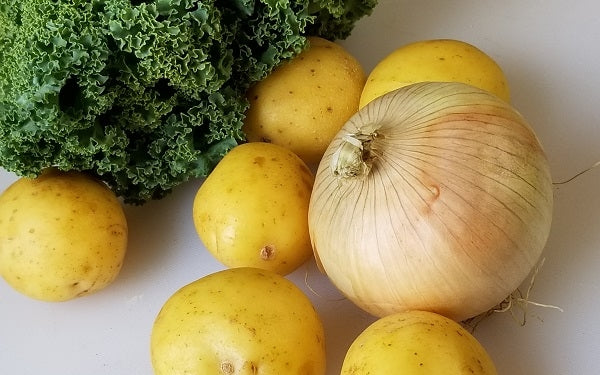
{"x":252,"y":210}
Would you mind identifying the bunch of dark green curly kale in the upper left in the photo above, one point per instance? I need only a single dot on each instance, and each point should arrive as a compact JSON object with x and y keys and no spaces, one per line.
{"x":145,"y":94}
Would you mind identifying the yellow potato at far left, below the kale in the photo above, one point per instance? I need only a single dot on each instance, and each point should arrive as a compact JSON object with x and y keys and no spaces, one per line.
{"x":62,"y":235}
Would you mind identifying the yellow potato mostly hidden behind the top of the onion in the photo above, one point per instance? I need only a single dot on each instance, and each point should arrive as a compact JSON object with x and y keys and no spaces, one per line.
{"x":445,"y":60}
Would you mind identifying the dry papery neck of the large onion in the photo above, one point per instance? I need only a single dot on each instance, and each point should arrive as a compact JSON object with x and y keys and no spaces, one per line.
{"x":354,"y":157}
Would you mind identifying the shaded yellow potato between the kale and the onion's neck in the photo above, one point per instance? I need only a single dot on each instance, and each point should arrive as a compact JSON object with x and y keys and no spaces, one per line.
{"x":305,"y":102}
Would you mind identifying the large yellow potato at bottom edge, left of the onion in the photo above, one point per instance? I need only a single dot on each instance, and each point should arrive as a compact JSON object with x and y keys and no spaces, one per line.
{"x":238,"y":321}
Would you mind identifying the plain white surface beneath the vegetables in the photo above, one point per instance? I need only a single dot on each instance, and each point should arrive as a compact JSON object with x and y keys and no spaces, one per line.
{"x":549,"y":50}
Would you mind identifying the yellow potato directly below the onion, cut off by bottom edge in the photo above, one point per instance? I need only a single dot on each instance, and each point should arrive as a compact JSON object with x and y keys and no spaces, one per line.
{"x":416,"y":343}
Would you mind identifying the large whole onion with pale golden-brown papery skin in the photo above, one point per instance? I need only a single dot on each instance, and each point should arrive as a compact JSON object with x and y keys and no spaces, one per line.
{"x":437,"y":197}
